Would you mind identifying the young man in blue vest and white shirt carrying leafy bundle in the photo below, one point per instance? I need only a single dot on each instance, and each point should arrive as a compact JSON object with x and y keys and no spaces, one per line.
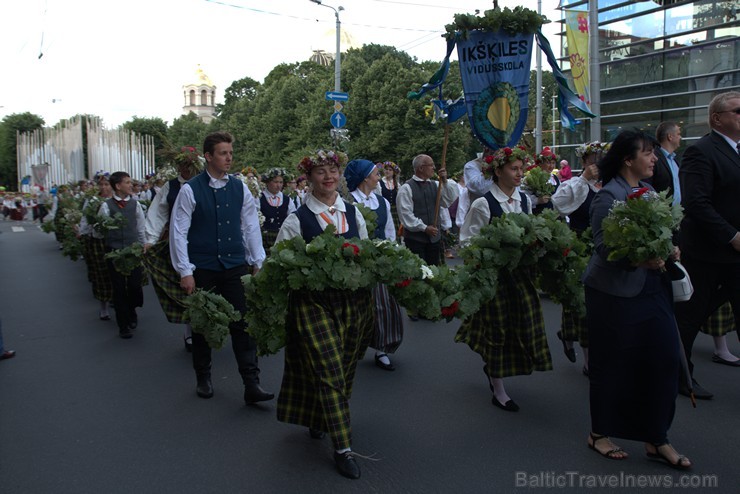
{"x":214,"y":239}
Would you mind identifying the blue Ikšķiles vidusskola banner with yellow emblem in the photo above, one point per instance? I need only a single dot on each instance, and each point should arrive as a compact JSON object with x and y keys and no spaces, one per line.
{"x":495,"y":68}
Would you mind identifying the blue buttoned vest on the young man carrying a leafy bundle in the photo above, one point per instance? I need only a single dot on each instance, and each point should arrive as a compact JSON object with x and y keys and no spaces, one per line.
{"x":215,"y":237}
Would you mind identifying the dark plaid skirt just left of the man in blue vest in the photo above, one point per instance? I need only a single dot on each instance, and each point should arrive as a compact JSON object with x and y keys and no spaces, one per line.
{"x":166,"y":281}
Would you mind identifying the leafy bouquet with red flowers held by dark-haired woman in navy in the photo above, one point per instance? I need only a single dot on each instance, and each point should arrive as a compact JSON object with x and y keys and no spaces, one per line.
{"x":641,"y":228}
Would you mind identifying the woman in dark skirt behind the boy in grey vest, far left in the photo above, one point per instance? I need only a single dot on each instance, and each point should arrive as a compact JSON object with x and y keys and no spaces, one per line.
{"x":93,"y":246}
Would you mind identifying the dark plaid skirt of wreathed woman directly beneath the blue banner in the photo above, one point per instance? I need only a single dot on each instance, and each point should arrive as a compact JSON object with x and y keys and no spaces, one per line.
{"x":509,"y":331}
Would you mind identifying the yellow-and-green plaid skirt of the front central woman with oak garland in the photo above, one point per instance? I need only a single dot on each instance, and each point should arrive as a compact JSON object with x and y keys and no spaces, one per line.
{"x":328,"y":332}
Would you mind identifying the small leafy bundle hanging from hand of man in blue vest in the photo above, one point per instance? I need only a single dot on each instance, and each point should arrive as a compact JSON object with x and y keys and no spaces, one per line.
{"x":210,"y":315}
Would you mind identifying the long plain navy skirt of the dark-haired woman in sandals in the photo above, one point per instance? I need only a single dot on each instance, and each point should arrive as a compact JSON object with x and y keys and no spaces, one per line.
{"x":634,"y":362}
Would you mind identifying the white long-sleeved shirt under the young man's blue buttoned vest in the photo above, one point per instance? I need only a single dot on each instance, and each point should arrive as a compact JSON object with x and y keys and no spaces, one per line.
{"x":182,"y":217}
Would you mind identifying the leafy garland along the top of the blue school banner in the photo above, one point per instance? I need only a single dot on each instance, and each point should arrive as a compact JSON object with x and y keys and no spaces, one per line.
{"x":519,"y":20}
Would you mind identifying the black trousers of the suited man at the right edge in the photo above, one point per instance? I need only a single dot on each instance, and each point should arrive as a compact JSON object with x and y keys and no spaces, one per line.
{"x":714,"y":284}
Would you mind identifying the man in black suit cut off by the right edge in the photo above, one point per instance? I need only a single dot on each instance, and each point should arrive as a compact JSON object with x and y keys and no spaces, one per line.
{"x":710,"y":231}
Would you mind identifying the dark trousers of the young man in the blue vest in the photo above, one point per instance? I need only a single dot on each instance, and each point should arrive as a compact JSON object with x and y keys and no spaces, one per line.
{"x":228,"y":284}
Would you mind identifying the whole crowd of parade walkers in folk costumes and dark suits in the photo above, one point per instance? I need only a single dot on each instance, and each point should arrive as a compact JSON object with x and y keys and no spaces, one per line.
{"x":206,"y":228}
